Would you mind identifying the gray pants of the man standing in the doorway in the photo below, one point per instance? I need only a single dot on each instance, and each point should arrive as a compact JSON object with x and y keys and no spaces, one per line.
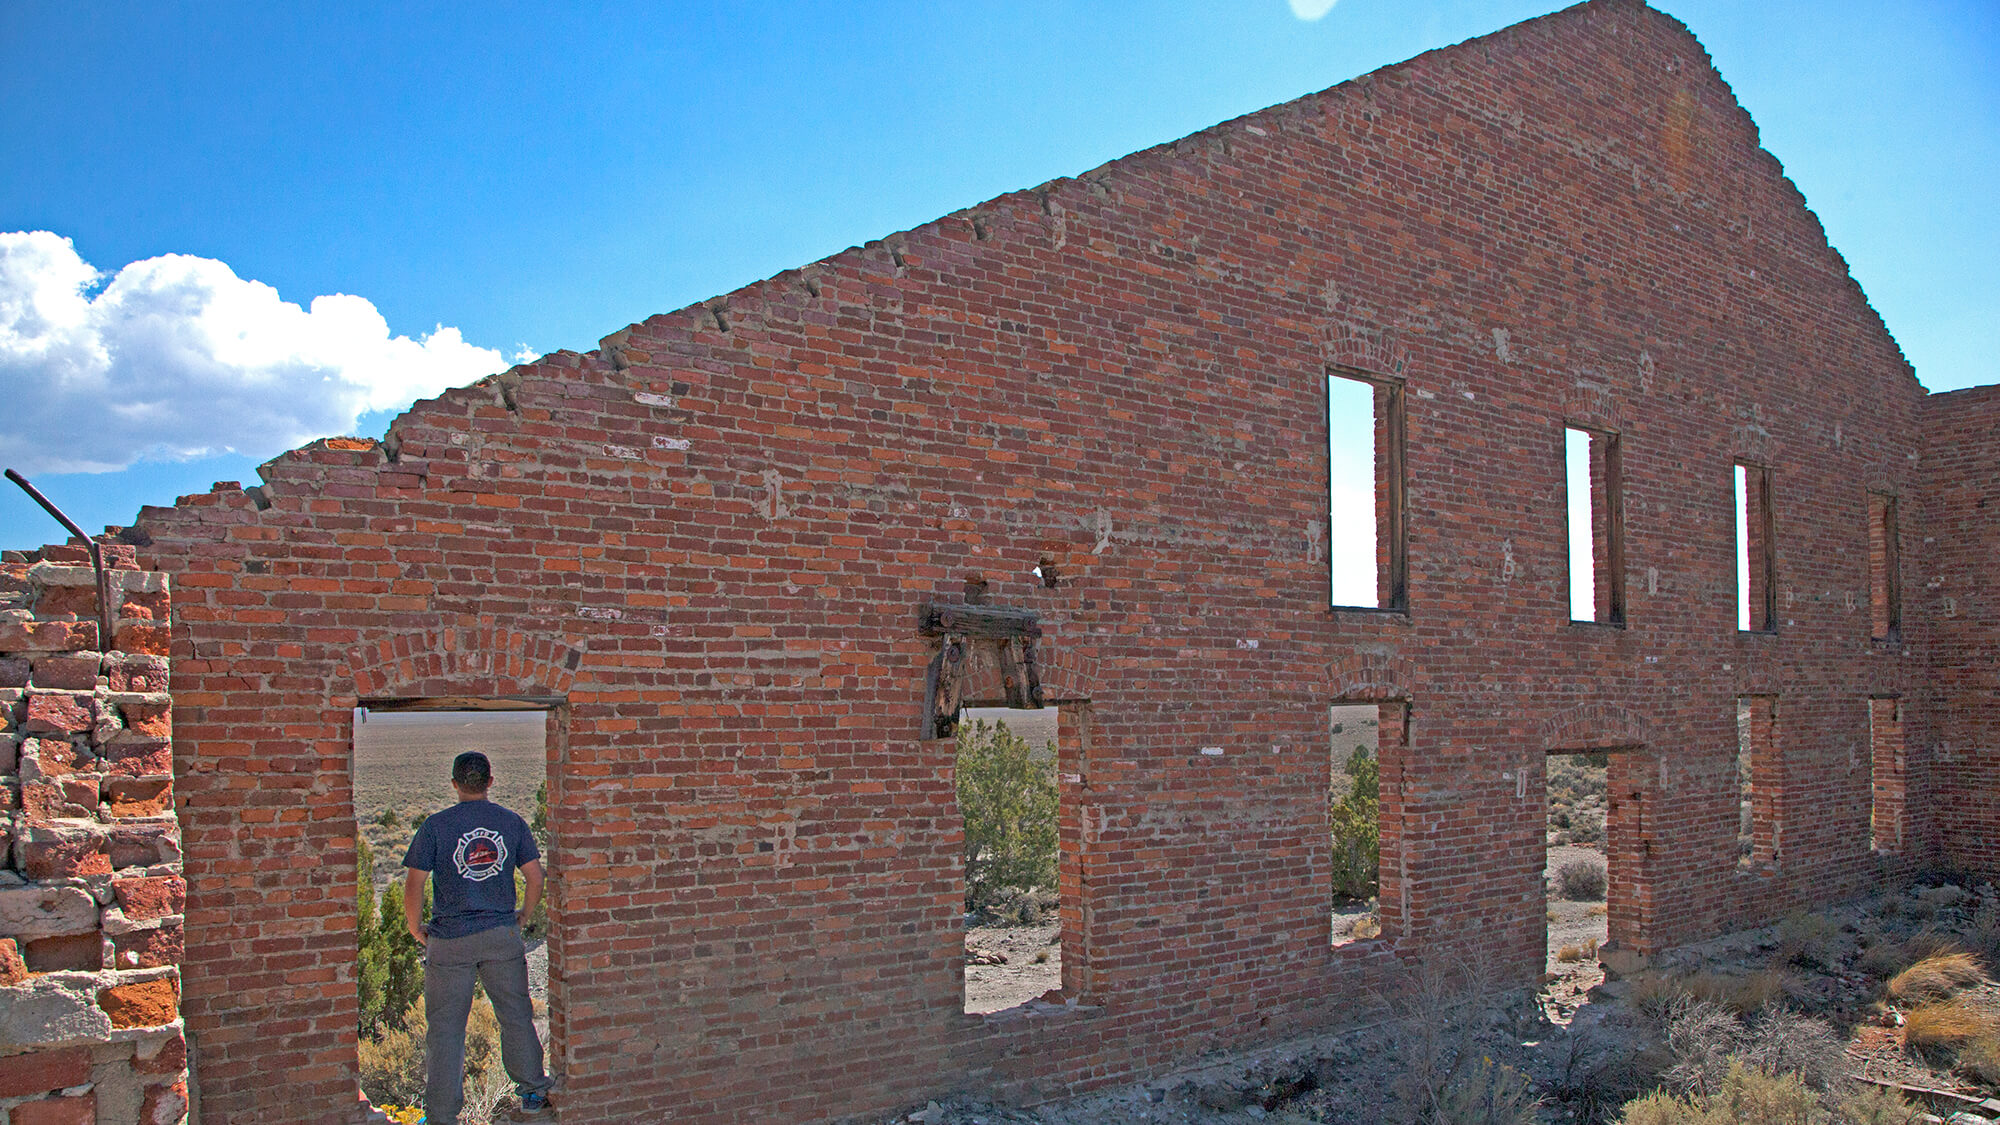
{"x":497,"y":960}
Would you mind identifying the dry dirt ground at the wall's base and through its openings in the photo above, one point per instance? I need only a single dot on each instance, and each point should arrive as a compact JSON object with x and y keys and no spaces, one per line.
{"x":1579,"y":1046}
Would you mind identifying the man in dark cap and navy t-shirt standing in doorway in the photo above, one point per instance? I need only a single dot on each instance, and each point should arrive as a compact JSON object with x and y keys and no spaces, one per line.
{"x":473,"y":852}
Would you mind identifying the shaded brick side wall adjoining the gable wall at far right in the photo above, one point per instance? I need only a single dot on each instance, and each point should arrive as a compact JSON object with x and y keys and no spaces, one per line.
{"x":1959,"y":616}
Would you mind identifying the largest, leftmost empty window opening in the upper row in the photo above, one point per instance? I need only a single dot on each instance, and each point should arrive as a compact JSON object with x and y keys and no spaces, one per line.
{"x":1365,"y":503}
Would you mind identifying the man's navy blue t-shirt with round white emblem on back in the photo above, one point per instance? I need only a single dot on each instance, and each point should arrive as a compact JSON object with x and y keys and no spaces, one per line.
{"x":471,"y":854}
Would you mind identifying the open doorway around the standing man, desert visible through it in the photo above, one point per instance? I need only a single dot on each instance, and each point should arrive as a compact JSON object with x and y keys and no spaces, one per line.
{"x":403,"y":774}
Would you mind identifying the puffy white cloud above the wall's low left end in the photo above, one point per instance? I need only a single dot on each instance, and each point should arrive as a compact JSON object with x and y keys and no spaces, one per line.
{"x":177,"y":357}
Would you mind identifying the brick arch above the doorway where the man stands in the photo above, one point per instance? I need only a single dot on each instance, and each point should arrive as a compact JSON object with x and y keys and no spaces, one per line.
{"x":485,"y":662}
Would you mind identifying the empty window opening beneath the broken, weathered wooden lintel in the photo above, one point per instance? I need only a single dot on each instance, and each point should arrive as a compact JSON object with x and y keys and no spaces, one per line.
{"x":1015,"y":890}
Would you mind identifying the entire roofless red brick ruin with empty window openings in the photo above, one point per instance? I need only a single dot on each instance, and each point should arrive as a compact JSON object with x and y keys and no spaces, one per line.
{"x":1083,"y":425}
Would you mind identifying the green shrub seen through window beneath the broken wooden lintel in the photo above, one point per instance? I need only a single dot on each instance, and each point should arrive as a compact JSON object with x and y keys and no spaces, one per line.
{"x":1007,"y":796}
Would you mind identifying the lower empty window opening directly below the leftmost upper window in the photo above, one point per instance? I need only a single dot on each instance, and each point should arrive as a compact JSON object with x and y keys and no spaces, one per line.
{"x":1367,"y":744}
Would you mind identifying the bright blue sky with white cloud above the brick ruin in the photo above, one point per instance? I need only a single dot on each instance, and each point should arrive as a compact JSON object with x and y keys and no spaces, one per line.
{"x":521,"y":183}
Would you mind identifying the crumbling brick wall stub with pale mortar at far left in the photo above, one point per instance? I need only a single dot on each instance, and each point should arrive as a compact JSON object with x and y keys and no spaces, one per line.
{"x":91,"y":880}
